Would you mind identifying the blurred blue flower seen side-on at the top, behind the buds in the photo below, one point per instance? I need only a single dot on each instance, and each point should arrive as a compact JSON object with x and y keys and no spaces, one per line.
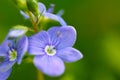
{"x":47,"y":14}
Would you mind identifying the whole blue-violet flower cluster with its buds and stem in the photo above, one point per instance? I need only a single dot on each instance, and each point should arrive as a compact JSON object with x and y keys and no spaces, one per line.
{"x":50,"y":48}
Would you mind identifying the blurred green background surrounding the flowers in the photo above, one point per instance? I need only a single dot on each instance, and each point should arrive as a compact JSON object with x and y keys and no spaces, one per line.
{"x":98,"y":37}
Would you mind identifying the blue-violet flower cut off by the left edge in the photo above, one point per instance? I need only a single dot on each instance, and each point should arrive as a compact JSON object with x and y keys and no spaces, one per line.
{"x":11,"y":51}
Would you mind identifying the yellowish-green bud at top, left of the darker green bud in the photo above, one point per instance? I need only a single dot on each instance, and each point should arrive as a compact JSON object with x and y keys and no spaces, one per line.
{"x":21,"y":4}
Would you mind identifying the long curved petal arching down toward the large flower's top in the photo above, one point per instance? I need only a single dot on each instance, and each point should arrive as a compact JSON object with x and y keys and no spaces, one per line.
{"x":55,"y":17}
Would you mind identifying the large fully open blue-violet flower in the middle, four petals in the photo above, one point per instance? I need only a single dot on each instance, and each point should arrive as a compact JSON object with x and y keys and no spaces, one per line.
{"x":52,"y":48}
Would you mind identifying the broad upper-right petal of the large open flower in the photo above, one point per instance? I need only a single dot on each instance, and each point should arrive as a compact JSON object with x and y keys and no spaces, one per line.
{"x":66,"y":36}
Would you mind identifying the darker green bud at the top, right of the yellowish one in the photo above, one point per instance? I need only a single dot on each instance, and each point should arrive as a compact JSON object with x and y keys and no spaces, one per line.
{"x":32,"y":6}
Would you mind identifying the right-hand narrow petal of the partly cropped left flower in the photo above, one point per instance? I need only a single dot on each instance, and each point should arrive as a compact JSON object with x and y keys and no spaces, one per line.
{"x":22,"y":46}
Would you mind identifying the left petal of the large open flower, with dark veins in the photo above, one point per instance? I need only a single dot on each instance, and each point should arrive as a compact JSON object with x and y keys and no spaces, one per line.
{"x":38,"y":42}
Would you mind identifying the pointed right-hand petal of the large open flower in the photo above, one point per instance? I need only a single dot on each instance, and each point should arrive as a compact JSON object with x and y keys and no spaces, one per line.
{"x":69,"y":54}
